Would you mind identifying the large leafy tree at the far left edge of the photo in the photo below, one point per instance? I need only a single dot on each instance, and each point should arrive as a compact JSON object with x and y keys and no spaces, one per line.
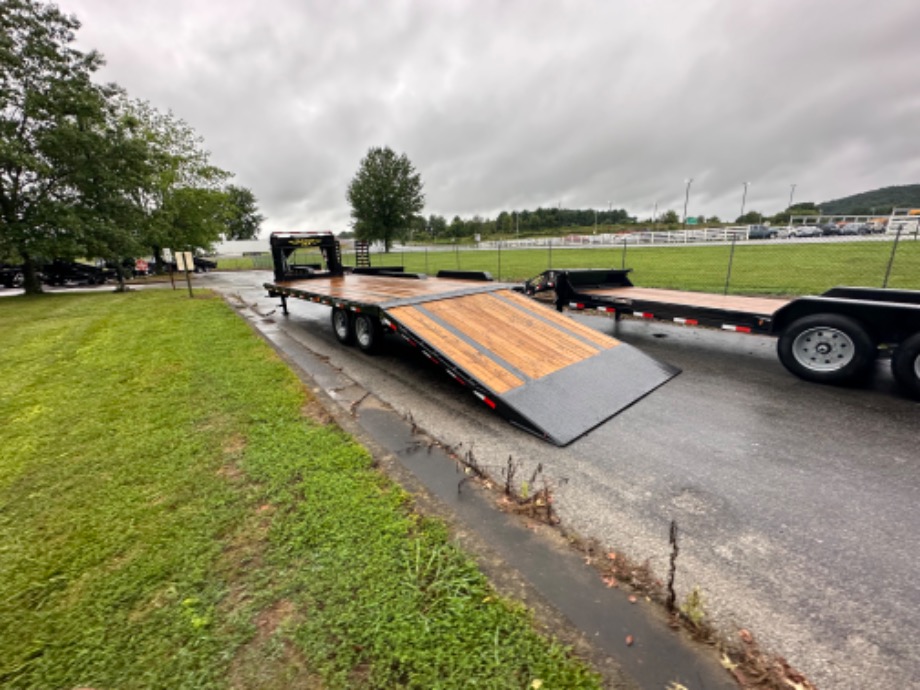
{"x":52,"y":134}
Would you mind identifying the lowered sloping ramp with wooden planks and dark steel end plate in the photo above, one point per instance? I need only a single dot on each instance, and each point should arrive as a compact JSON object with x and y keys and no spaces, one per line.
{"x":543,"y":371}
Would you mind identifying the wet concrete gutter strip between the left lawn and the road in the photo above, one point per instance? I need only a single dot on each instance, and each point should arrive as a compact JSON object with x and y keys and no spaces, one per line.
{"x":656,"y":656}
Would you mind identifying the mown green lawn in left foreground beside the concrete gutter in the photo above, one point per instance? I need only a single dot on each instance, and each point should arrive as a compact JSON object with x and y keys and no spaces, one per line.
{"x":173,"y":516}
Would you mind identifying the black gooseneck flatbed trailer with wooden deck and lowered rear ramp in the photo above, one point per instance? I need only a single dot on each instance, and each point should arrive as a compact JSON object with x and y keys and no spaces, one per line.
{"x":543,"y":371}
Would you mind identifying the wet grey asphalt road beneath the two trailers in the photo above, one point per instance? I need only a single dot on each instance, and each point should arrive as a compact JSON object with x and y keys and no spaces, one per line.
{"x":795,"y":502}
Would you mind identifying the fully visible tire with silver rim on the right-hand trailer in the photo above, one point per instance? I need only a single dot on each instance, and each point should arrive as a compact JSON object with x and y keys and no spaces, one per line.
{"x":827,"y":348}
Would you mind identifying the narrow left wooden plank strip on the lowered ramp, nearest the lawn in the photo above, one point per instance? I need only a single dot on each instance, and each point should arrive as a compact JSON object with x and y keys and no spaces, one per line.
{"x":489,"y":373}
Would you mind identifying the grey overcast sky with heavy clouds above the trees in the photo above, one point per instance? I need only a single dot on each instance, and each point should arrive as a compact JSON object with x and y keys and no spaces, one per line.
{"x":519,"y":104}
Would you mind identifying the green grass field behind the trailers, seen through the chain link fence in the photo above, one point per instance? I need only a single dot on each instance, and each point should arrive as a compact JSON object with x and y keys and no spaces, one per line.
{"x":778,"y":269}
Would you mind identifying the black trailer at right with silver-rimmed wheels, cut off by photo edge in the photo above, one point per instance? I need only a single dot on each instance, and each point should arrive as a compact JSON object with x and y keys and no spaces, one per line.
{"x":834,"y":337}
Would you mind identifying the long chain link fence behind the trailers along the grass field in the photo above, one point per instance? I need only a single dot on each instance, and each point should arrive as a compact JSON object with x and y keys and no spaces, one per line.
{"x":730,"y":264}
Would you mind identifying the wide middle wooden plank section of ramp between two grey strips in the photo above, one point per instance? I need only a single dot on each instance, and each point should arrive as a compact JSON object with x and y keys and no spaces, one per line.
{"x":528,"y":344}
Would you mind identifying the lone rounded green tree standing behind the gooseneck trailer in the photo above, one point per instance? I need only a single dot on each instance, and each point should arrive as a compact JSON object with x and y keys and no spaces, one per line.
{"x":384,"y":194}
